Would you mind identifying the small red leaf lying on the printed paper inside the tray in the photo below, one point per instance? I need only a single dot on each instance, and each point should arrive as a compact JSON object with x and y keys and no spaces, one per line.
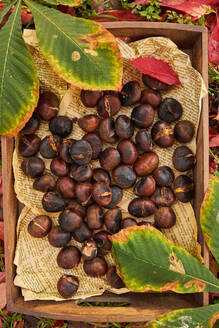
{"x":157,"y":69}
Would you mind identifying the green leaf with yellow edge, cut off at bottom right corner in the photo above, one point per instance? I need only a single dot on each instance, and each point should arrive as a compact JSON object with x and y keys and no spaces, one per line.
{"x":203,"y":317}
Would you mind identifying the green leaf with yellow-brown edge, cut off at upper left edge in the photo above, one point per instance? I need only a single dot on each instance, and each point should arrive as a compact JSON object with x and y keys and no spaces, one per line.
{"x":18,"y":77}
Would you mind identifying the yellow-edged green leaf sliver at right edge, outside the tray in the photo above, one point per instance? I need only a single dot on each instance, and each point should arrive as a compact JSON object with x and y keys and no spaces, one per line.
{"x":209,"y":216}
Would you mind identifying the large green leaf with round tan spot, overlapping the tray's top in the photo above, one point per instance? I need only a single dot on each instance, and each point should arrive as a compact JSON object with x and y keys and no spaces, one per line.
{"x":83,"y":52}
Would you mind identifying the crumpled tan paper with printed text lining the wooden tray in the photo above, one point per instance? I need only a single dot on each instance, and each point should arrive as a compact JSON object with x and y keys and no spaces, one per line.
{"x":37,"y":270}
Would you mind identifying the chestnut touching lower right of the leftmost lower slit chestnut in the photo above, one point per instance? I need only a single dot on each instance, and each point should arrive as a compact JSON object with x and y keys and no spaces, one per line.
{"x":58,"y":238}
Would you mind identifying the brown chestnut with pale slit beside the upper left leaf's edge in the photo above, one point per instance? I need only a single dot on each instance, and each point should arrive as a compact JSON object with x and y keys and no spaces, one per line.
{"x":48,"y":105}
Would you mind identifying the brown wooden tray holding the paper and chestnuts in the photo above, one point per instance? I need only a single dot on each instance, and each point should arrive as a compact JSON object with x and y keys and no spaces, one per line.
{"x":142,"y":307}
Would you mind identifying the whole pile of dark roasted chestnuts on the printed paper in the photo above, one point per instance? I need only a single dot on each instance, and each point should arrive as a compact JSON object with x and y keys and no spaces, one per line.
{"x":88,"y":198}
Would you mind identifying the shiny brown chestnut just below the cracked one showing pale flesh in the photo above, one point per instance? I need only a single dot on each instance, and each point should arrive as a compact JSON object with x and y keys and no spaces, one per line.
{"x":96,"y":267}
